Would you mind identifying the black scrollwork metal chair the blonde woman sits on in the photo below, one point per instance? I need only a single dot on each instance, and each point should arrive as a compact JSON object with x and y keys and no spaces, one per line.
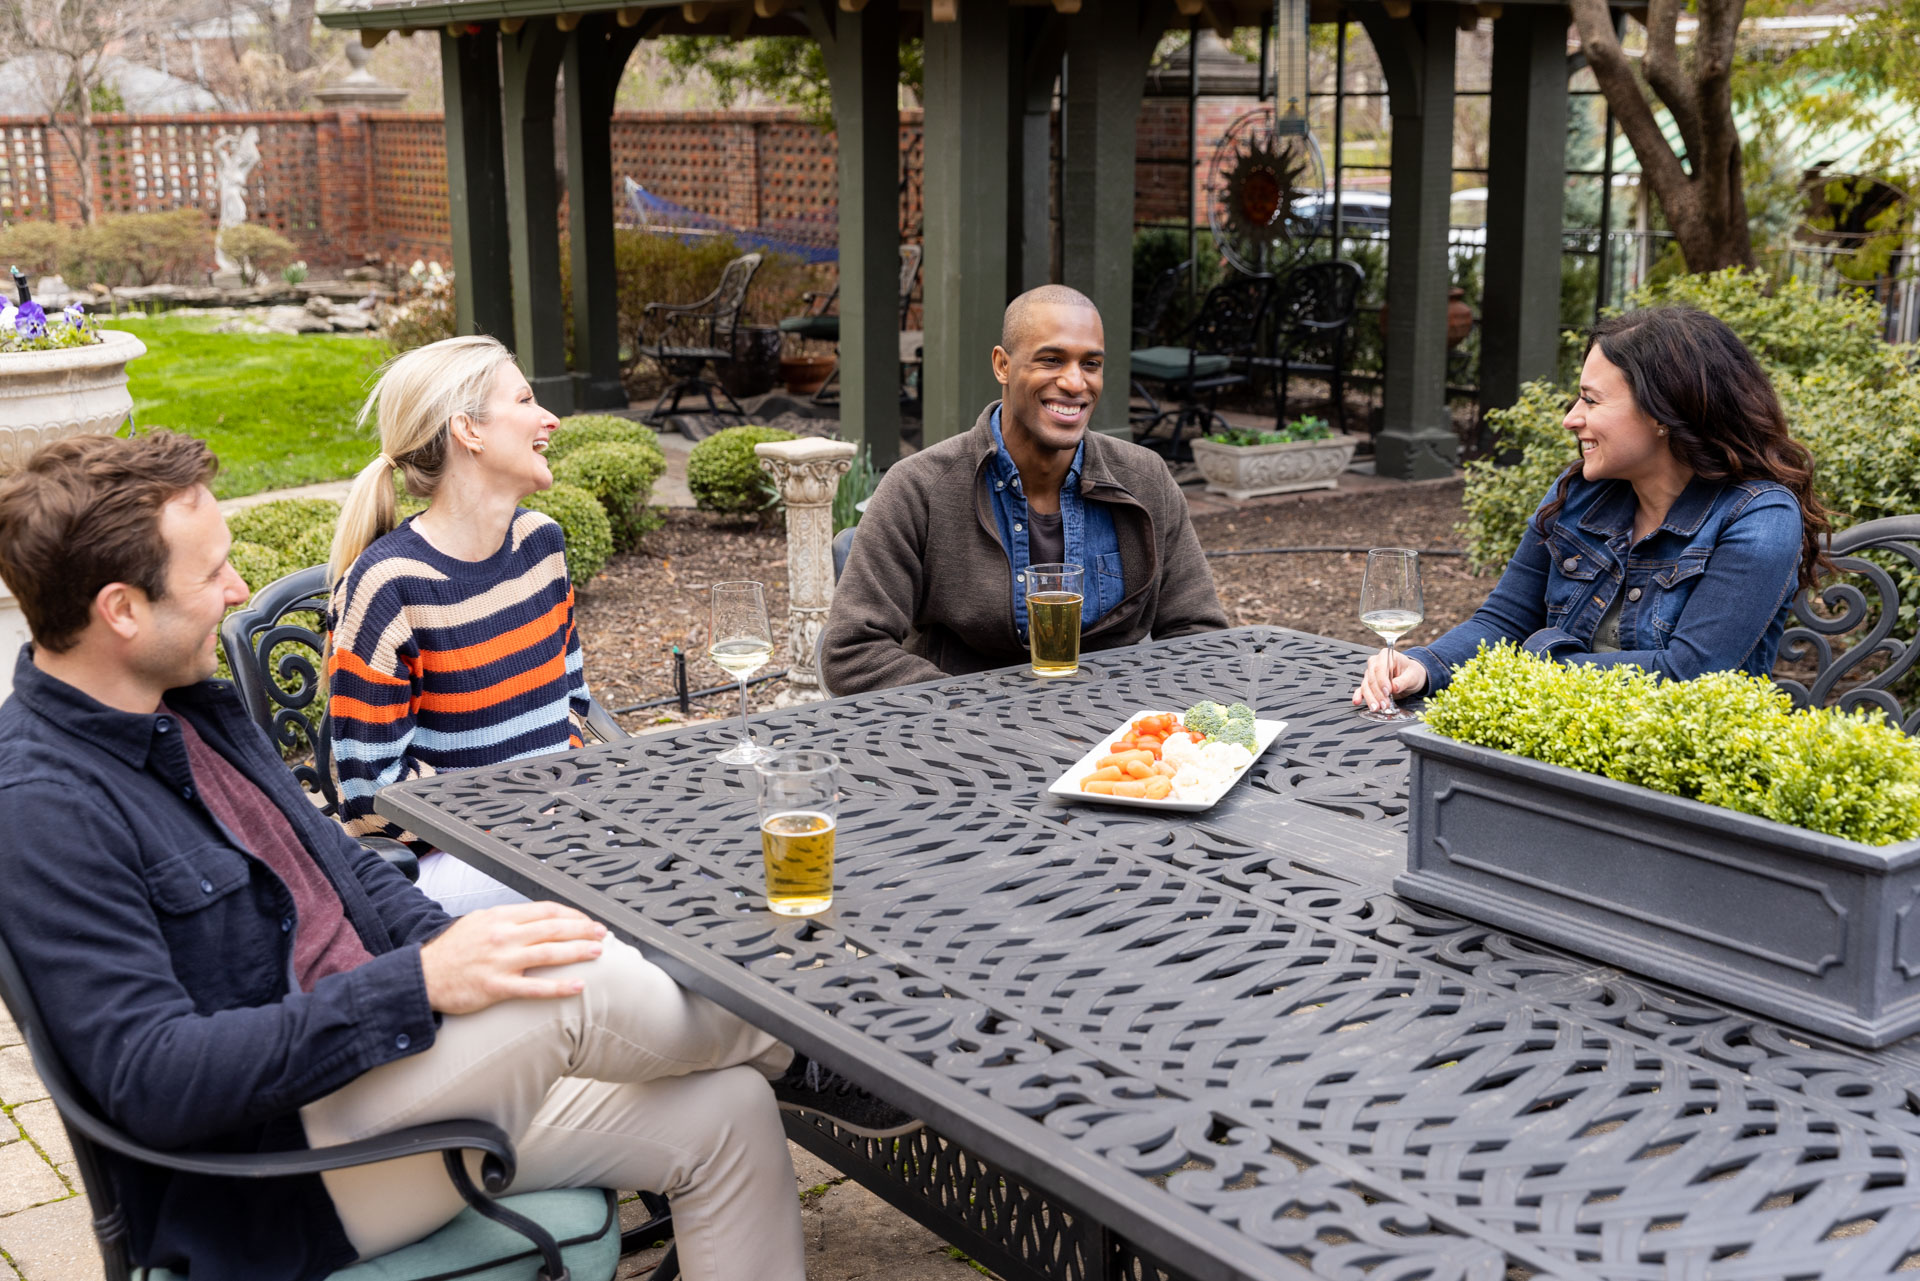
{"x":277,"y":654}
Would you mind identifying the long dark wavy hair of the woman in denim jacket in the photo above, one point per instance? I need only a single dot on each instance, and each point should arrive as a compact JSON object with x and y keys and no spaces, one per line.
{"x":1692,"y":375}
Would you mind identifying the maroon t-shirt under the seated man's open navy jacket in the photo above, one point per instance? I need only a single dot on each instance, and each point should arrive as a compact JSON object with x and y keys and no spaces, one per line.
{"x":324,"y":938}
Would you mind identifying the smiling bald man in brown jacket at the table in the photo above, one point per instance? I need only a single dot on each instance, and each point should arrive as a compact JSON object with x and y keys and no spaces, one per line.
{"x":936,"y":585}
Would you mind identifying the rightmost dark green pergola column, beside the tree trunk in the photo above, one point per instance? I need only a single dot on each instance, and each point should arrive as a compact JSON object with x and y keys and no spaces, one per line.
{"x":1525,"y":197}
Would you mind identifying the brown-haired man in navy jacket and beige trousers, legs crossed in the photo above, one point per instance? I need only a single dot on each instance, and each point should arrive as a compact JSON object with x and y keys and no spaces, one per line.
{"x":226,"y":971}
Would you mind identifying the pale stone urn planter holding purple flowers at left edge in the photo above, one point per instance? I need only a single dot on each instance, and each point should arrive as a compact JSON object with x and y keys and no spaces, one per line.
{"x":47,"y":397}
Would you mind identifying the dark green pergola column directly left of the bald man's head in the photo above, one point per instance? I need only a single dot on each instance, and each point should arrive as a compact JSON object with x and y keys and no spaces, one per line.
{"x":967,"y":212}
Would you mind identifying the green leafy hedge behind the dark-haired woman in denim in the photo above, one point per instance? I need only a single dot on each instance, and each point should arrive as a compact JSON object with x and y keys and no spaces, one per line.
{"x":1850,"y":399}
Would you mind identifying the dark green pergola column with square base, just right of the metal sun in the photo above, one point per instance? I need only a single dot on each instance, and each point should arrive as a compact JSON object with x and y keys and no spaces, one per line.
{"x":1416,"y":437}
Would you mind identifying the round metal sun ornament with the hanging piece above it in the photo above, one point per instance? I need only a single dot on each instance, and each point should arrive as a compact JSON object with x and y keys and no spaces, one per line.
{"x":1266,"y":180}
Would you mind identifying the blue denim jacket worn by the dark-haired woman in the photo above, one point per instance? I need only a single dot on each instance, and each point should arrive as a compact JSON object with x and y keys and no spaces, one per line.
{"x":1706,"y":592}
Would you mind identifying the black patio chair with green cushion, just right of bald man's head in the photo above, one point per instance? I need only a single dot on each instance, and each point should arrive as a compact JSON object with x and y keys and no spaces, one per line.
{"x":1222,"y":337}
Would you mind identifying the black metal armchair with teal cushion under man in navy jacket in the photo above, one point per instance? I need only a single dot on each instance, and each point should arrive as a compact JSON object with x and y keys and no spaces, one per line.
{"x":556,"y":1236}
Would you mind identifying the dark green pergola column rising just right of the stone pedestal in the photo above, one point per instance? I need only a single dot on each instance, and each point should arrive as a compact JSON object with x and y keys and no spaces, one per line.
{"x":863,"y":55}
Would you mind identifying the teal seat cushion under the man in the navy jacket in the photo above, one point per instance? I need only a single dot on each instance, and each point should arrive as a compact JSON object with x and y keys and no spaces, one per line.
{"x":477,"y":1249}
